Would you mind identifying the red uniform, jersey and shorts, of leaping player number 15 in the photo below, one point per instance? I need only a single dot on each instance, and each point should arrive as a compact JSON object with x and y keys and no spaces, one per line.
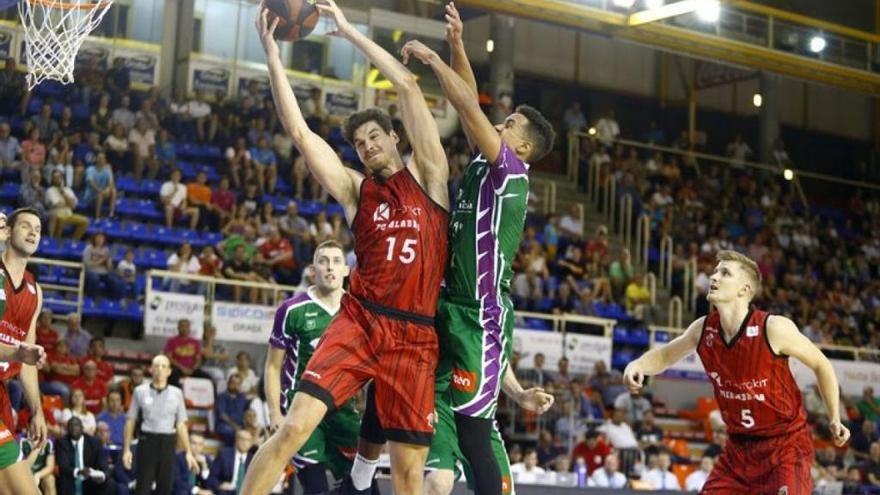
{"x":385,"y":327}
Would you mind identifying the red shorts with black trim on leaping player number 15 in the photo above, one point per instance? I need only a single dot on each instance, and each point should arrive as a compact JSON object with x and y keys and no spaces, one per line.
{"x":397,"y":350}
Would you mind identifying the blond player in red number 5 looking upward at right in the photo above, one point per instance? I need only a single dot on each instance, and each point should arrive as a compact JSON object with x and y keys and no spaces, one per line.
{"x":745,"y":354}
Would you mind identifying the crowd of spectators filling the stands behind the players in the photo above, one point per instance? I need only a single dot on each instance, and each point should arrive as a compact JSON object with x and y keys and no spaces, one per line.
{"x":79,"y":153}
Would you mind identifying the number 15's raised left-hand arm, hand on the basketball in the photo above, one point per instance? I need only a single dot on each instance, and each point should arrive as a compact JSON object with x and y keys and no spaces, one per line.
{"x":342,"y":183}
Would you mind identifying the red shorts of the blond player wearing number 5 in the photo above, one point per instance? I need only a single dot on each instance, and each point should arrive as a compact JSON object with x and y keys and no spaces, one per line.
{"x":769,"y":466}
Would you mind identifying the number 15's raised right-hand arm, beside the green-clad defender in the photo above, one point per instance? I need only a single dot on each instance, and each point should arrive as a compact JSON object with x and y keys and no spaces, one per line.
{"x":418,"y":122}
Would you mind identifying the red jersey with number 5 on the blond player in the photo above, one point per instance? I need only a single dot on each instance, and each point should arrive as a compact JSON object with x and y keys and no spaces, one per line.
{"x":754,"y":387}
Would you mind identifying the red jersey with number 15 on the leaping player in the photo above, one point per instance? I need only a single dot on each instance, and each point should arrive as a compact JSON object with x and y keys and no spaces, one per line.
{"x":400,"y":243}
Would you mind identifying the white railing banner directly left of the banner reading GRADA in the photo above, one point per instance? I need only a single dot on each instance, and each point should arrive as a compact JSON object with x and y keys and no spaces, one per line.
{"x":165,"y":309}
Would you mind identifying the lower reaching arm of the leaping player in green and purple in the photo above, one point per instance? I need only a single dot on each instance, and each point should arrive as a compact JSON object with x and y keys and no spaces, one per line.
{"x":476,"y":125}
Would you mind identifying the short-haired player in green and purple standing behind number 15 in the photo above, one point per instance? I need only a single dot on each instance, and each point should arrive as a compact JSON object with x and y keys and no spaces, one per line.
{"x":299,"y":324}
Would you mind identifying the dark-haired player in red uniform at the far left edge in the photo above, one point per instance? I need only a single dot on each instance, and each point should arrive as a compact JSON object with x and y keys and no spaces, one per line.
{"x":20,"y":302}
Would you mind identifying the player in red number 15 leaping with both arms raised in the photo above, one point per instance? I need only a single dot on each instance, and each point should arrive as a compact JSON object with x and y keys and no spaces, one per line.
{"x":398,"y":217}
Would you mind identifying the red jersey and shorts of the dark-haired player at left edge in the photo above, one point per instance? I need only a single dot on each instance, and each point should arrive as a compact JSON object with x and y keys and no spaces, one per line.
{"x":21,"y":306}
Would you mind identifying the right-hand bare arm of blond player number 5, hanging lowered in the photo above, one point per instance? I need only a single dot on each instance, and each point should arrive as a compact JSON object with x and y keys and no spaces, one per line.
{"x":785,"y":339}
